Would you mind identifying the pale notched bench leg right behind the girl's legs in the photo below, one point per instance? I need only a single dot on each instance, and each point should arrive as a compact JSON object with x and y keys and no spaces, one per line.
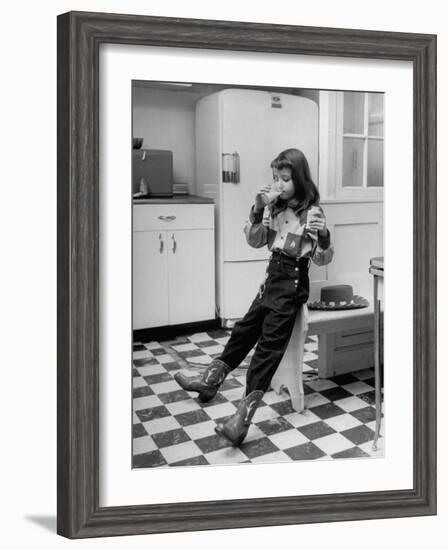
{"x":289,"y":372}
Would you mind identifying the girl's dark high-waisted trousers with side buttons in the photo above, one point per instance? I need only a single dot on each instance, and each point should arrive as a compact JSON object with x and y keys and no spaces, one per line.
{"x":269,"y":321}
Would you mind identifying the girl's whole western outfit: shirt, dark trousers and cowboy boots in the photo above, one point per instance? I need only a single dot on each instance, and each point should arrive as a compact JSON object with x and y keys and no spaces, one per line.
{"x":271,"y":316}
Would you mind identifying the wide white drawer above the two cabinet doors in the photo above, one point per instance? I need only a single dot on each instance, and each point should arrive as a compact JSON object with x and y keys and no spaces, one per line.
{"x":160,"y":217}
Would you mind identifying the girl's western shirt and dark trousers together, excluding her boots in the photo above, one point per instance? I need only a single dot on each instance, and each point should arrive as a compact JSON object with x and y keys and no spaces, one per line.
{"x":270,"y":318}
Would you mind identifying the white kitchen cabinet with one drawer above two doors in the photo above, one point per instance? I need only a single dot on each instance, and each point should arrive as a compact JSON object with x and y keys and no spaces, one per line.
{"x":173,"y":264}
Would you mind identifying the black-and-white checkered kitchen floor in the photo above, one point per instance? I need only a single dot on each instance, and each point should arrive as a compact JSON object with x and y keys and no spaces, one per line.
{"x":172,"y":428}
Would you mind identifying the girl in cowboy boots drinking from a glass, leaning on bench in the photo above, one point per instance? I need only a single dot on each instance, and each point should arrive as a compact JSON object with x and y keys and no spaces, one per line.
{"x":296,"y":233}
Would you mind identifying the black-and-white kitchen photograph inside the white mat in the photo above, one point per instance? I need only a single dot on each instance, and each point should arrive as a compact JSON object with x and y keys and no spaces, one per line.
{"x":257,"y":274}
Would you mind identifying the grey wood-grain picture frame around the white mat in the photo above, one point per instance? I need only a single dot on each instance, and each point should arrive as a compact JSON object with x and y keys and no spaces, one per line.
{"x":79,"y":38}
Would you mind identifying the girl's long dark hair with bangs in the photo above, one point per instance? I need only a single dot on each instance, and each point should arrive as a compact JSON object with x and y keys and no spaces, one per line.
{"x":306,"y":191}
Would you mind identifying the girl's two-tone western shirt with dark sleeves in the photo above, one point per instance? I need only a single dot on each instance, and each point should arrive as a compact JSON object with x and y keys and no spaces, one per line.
{"x":284,"y":230}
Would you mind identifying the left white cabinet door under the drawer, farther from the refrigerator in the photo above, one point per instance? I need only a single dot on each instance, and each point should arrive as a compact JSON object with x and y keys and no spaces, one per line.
{"x":150,"y":279}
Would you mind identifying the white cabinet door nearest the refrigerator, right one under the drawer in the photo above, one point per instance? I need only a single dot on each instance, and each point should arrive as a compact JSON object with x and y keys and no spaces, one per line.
{"x":191,"y":266}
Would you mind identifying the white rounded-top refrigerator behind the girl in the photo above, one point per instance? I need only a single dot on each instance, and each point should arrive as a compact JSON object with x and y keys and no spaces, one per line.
{"x":238,"y":134}
